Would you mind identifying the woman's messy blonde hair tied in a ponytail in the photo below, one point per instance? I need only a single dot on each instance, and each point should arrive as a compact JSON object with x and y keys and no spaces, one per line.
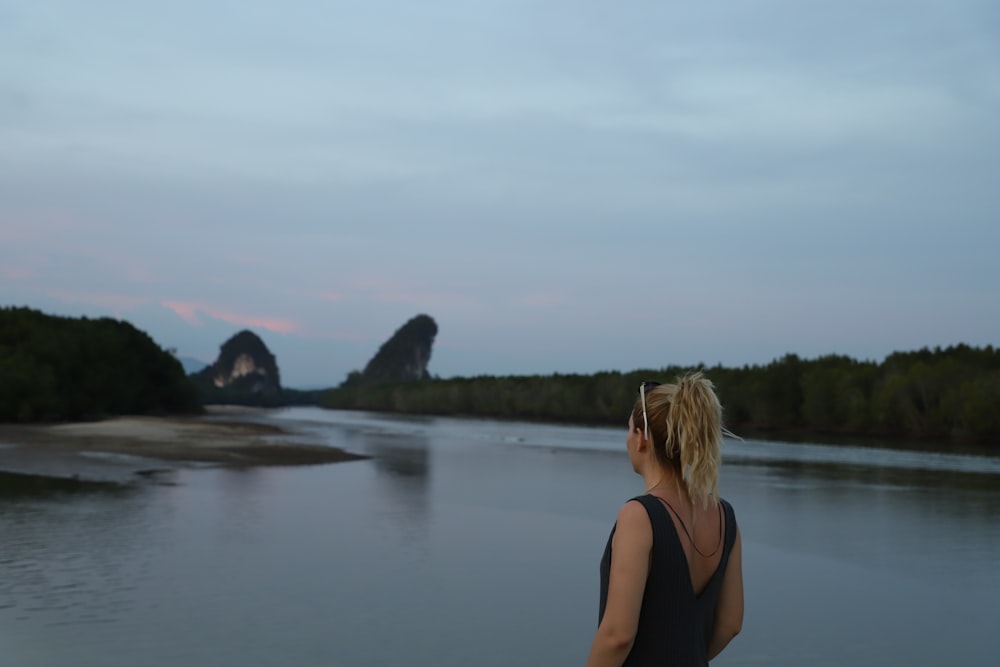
{"x":685,"y":430}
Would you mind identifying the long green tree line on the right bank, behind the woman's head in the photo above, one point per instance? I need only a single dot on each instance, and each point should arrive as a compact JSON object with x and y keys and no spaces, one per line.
{"x":935,"y":394}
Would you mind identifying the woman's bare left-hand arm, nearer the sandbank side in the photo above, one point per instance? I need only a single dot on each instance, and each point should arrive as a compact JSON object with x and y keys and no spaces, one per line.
{"x":630,"y":550}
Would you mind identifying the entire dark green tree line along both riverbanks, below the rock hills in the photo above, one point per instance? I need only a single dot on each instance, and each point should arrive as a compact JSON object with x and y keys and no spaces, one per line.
{"x":60,"y":368}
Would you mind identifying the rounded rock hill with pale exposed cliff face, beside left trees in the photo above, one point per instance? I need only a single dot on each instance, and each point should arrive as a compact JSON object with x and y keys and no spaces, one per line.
{"x":245,"y":371}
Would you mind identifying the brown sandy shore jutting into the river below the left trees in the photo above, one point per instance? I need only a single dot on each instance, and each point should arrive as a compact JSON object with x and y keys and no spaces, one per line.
{"x":52,"y":449}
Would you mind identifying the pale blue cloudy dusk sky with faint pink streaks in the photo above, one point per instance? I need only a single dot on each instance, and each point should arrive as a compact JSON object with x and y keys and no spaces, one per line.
{"x":563,"y":186}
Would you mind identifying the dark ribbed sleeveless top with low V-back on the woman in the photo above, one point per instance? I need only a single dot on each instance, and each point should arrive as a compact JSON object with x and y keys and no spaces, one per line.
{"x":675,"y":625}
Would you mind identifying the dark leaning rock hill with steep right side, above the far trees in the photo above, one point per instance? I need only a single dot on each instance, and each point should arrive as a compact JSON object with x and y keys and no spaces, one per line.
{"x":402,"y":358}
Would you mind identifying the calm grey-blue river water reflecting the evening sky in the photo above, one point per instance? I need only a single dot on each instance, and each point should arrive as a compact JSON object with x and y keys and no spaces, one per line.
{"x":467,"y":542}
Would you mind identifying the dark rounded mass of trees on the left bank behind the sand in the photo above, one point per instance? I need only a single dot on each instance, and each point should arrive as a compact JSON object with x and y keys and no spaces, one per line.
{"x":61,"y":368}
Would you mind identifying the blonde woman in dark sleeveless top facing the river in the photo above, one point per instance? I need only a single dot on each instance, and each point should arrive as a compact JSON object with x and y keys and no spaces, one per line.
{"x":671,"y":576}
